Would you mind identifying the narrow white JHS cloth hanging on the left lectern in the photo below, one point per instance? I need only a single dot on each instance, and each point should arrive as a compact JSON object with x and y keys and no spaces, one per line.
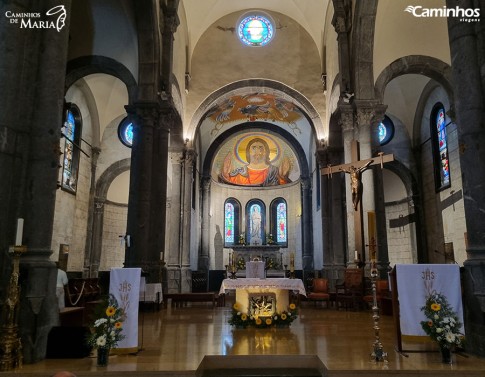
{"x":125,"y":286}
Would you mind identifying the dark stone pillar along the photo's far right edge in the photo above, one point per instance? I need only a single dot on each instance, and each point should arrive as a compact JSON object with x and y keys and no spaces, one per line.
{"x":467,"y":44}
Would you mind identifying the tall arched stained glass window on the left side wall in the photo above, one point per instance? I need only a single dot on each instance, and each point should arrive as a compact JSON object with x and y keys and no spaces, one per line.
{"x":72,"y":141}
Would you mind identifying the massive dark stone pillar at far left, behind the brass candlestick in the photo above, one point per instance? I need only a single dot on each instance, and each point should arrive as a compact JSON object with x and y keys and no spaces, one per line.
{"x":30,"y":123}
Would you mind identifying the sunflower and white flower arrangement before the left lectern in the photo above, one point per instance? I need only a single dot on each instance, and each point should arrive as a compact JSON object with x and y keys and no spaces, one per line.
{"x":107,"y":328}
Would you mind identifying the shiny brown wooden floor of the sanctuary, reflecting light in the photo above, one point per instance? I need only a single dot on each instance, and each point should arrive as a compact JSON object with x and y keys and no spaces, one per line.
{"x":174,"y":341}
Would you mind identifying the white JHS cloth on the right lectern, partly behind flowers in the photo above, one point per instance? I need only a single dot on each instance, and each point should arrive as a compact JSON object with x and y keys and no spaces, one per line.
{"x":415,"y":282}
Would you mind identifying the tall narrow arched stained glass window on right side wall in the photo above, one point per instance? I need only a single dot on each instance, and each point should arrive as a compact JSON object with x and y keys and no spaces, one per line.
{"x":439,"y":142}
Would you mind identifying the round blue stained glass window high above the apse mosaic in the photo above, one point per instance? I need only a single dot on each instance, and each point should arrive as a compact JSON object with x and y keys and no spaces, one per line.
{"x":255,"y":30}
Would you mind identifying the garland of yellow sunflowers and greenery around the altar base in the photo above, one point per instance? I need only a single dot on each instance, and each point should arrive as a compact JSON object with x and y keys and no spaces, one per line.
{"x":283,"y":319}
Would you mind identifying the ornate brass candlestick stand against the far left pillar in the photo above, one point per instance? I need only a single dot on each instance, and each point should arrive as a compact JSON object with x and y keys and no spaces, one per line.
{"x":10,"y":343}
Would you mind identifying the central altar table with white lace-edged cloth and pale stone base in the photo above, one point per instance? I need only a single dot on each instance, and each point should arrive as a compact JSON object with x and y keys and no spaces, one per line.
{"x":279,"y":287}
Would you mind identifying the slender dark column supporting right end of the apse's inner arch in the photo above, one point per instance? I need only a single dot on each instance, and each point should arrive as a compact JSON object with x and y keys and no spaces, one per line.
{"x":307,"y":226}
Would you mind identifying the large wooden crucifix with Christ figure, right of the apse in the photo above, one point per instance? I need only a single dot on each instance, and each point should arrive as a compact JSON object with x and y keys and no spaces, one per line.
{"x":355,"y":169}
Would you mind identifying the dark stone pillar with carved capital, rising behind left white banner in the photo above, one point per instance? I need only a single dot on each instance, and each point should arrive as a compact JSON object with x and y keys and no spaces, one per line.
{"x":148,"y":187}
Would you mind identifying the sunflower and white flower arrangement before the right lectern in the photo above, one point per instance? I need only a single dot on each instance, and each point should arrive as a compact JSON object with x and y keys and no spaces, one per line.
{"x":442,"y":323}
